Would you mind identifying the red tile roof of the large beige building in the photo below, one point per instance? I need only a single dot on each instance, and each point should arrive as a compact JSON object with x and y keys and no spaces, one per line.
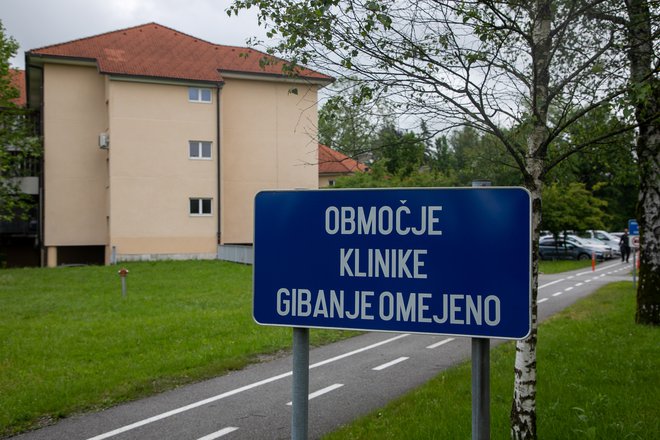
{"x":153,"y":50}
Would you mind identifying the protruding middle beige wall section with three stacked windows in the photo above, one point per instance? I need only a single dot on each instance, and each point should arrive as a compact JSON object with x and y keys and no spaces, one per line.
{"x":152,"y":177}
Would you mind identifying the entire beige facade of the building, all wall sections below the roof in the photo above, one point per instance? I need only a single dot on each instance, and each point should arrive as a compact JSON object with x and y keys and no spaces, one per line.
{"x":133,"y":198}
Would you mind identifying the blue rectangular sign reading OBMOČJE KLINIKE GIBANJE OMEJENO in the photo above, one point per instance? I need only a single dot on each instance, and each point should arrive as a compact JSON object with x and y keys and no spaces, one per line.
{"x":448,"y":261}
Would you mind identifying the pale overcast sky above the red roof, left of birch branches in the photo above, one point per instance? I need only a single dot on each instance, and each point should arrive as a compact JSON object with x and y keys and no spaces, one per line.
{"x":37,"y":23}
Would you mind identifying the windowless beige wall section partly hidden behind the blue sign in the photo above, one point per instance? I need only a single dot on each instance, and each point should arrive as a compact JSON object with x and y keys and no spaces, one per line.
{"x":268,"y":142}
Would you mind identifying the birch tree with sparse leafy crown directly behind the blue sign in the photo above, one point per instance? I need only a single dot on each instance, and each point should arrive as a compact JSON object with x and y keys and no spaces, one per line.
{"x":485,"y":64}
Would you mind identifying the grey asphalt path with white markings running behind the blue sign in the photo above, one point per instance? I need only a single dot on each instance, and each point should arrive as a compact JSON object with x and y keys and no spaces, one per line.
{"x":347,"y":379}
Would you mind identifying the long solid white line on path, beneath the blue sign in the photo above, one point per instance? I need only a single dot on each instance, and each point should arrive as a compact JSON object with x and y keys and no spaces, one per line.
{"x":234,"y":392}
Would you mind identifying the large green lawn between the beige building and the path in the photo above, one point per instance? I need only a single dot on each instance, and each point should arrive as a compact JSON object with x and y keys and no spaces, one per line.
{"x":70,"y":342}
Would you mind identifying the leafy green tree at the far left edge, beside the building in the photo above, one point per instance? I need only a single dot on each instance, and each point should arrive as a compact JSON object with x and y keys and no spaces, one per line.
{"x":18,"y":145}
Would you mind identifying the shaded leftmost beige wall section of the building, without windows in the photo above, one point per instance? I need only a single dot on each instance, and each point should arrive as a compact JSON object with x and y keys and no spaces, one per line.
{"x":75,"y":174}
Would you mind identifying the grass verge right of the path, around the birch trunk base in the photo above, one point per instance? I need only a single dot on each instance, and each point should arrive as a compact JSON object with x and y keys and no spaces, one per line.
{"x":598,"y":376}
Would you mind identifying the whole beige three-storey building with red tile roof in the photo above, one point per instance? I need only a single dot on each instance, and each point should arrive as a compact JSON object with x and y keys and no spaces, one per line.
{"x":155,"y":143}
